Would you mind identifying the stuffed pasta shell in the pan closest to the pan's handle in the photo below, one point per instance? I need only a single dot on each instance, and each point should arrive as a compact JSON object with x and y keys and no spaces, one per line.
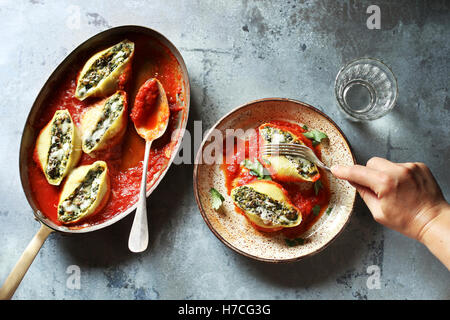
{"x":85,"y":193}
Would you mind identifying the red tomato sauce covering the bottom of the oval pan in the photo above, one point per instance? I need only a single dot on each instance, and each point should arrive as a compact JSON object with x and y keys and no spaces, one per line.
{"x":151,"y":60}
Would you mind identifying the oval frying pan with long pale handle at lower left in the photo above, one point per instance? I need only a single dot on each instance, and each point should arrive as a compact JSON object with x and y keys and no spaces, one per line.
{"x":30,"y":132}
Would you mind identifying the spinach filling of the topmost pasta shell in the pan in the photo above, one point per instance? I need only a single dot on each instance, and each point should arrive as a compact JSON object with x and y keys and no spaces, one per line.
{"x":105,"y":65}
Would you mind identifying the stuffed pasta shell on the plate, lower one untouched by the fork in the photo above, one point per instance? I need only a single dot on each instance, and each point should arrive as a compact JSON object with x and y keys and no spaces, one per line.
{"x":266,"y":204}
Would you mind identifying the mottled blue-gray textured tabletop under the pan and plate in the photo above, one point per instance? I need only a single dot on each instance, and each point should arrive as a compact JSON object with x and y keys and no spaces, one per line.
{"x":235,"y":52}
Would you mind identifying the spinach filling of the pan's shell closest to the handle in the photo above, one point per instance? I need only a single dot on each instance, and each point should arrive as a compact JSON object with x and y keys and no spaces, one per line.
{"x":82,"y":197}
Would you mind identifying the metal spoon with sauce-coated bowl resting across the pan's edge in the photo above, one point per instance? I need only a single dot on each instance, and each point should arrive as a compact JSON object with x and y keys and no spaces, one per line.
{"x":138,"y":240}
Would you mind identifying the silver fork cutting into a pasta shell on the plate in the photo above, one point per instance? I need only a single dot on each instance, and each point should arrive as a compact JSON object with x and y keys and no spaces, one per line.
{"x":295,"y":150}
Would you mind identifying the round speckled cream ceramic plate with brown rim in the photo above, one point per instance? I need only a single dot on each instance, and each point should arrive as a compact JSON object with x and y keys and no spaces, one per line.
{"x":232,"y":228}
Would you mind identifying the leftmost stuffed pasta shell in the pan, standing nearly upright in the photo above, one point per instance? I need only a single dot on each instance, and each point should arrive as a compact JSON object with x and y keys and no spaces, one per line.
{"x":58,"y":147}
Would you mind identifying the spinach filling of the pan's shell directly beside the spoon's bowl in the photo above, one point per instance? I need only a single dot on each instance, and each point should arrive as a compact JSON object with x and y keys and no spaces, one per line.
{"x":111,"y":111}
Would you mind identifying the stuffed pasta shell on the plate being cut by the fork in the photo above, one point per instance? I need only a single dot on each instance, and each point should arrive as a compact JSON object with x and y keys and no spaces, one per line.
{"x":285,"y":167}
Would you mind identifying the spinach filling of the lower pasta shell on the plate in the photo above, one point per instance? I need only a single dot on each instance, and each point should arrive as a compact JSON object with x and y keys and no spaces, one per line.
{"x":264,"y":206}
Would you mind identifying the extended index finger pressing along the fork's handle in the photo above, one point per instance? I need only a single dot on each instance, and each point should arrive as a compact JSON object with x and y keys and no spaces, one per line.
{"x":363,"y":176}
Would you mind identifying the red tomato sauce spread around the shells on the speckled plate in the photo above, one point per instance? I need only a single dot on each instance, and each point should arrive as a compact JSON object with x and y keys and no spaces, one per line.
{"x":302,"y":195}
